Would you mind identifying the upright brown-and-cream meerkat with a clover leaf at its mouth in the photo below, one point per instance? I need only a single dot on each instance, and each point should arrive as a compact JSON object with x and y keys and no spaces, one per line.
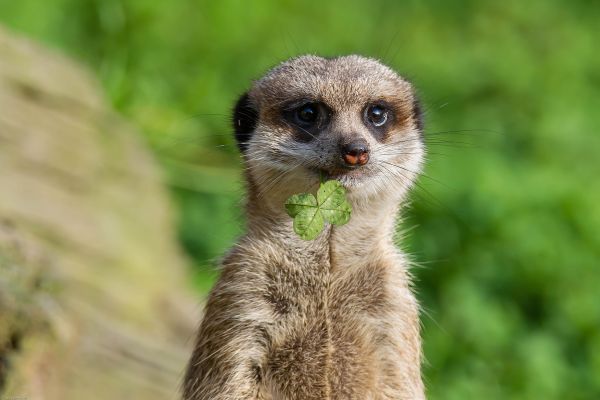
{"x":332,"y":318}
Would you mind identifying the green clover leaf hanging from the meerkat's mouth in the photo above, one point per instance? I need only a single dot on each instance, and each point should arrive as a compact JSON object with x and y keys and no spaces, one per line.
{"x":310,"y":213}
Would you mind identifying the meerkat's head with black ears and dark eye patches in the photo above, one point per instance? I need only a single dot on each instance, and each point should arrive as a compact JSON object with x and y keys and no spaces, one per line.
{"x":347,"y":118}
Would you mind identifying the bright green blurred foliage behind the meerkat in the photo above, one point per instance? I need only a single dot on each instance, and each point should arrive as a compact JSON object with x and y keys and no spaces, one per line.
{"x":505,"y":228}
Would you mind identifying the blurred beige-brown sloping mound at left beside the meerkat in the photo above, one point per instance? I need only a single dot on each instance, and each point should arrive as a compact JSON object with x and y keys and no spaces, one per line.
{"x":92,"y":293}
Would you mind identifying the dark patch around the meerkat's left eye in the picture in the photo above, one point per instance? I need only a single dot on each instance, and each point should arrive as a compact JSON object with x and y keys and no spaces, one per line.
{"x":308,"y":118}
